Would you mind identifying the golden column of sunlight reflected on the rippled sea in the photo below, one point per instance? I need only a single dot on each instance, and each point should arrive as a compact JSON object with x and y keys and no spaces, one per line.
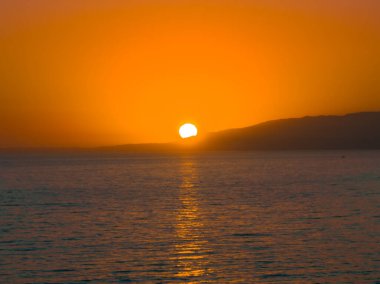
{"x":192,"y":248}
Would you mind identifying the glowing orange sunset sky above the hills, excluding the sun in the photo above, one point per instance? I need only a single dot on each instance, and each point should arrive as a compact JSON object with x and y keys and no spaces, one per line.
{"x":87,"y":73}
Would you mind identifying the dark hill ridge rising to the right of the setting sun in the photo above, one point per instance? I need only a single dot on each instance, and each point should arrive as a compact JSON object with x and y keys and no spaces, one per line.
{"x":352,"y":131}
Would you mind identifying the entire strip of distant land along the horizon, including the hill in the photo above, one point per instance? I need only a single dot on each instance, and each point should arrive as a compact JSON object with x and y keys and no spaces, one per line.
{"x":354,"y":131}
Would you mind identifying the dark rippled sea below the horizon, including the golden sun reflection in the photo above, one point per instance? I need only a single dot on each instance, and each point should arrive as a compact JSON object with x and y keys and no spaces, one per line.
{"x":306,"y":217}
